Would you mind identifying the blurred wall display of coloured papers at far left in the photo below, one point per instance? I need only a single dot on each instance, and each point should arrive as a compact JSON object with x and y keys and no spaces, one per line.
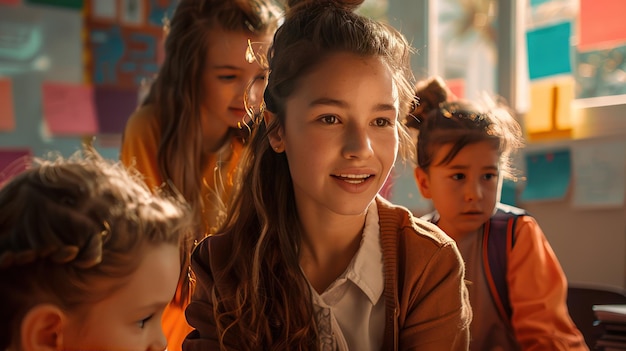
{"x":70,"y":72}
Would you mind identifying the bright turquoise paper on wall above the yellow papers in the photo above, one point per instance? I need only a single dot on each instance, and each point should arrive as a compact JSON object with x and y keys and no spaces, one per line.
{"x":549,"y":50}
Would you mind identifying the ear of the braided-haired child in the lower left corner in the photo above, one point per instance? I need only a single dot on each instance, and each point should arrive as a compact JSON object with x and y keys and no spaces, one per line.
{"x":42,"y":328}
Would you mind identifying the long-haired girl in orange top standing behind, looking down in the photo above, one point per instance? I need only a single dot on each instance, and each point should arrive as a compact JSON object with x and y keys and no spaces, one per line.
{"x":187,"y":135}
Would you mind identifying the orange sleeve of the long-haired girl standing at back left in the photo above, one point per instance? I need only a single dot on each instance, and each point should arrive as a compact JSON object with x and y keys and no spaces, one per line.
{"x":140,"y":145}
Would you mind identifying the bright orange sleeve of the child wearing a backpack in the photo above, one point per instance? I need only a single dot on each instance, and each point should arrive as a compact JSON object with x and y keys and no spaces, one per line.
{"x":538,"y":292}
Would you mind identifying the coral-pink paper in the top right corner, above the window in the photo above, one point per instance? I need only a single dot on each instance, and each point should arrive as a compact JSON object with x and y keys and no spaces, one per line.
{"x":601,"y":24}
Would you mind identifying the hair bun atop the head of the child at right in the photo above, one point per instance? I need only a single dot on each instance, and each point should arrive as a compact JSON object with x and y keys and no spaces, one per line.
{"x":429,"y":94}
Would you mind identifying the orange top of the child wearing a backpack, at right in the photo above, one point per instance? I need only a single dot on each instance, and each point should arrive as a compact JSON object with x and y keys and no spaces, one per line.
{"x":537,"y":293}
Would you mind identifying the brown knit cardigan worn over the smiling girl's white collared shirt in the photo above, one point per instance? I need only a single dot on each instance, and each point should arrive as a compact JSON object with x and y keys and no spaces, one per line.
{"x":426,"y":300}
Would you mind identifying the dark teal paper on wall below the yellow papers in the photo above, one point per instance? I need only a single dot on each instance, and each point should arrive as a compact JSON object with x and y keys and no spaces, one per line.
{"x":548,"y":175}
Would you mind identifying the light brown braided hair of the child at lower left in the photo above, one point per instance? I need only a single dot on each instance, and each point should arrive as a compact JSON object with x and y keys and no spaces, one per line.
{"x":66,"y":224}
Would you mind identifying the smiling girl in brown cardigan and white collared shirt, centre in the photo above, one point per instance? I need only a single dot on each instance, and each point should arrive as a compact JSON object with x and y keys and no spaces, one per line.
{"x":309,"y":256}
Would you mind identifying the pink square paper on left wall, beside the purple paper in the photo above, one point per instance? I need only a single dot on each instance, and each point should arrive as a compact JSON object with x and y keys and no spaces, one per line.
{"x":69,"y":109}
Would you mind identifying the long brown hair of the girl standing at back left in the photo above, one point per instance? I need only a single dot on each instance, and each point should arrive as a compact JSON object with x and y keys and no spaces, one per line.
{"x":177,"y":92}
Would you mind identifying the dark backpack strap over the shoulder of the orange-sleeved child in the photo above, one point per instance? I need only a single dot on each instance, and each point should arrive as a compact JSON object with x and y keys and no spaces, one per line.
{"x":498,"y":241}
